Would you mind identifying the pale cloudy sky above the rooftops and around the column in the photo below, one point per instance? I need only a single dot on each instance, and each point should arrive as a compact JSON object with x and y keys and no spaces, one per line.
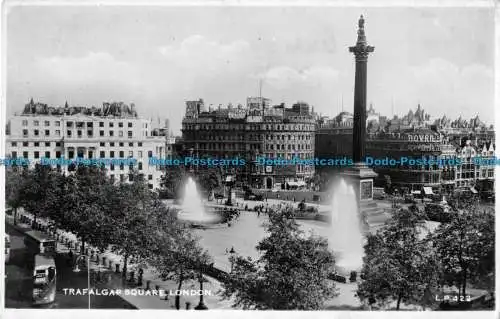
{"x":159,"y":57}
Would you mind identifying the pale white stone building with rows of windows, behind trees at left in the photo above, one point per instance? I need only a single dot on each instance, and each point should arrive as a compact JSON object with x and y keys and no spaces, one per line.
{"x":111,"y":132}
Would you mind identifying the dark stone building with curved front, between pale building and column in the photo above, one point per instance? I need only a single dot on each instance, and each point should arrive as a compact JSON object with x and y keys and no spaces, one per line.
{"x":255,"y":131}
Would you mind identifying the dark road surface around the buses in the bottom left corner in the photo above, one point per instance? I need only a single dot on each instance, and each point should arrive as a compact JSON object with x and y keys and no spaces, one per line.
{"x":18,"y":283}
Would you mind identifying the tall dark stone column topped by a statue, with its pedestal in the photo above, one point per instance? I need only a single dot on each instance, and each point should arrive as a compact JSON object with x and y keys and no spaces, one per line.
{"x":360,"y":175}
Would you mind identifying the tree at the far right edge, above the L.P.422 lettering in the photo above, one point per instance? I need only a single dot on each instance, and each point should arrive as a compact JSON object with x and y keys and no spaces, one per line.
{"x":466,"y":247}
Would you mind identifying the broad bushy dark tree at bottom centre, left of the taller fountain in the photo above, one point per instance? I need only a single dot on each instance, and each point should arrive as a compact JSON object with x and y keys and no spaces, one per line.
{"x":292,"y":272}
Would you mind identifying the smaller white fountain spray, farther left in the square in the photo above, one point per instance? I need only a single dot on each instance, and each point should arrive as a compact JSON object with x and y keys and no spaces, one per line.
{"x":192,"y":208}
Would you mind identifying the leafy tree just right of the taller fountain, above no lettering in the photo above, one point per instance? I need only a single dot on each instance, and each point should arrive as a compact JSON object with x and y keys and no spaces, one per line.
{"x":398,"y":265}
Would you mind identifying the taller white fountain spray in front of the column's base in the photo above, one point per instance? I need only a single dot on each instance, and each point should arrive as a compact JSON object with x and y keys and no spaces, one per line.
{"x":346,"y":237}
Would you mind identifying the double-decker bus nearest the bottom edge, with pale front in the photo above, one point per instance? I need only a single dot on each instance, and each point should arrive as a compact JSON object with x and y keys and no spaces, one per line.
{"x":44,"y":280}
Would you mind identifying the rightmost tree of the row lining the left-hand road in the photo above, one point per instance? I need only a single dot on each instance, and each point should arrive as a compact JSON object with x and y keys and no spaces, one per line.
{"x":175,"y":252}
